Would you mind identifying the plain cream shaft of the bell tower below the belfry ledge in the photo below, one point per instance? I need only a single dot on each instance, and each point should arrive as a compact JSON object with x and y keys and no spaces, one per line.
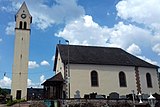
{"x":20,"y":65}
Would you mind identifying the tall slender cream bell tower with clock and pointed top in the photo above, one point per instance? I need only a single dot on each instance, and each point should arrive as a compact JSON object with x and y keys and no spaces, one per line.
{"x":21,"y":53}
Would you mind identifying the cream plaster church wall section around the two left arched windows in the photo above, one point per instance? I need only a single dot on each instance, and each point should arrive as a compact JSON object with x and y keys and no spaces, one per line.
{"x":108,"y":79}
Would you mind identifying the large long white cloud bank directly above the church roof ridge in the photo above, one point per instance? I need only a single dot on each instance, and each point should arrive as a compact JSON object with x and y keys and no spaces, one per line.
{"x":85,"y":31}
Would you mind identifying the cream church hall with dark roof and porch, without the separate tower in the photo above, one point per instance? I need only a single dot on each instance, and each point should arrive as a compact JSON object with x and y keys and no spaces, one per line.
{"x":81,"y":70}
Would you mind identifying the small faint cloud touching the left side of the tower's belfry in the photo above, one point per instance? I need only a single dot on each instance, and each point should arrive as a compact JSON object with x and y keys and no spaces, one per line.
{"x":10,"y":28}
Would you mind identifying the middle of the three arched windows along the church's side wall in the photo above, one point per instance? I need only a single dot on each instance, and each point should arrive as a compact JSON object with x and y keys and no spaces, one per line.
{"x":122,"y":79}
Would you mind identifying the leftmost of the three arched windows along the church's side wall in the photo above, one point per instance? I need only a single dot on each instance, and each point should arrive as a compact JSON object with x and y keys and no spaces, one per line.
{"x":94,"y":78}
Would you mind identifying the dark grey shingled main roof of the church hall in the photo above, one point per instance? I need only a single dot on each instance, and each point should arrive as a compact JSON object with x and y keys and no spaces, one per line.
{"x":99,"y":56}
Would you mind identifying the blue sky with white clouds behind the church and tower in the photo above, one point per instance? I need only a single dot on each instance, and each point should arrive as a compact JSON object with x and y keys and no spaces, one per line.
{"x":133,"y":25}
